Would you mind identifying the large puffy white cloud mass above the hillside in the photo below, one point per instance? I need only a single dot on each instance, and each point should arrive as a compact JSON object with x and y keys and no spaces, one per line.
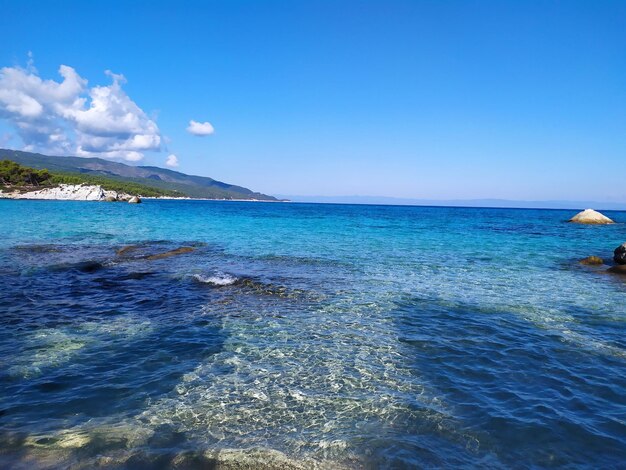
{"x":67,"y":117}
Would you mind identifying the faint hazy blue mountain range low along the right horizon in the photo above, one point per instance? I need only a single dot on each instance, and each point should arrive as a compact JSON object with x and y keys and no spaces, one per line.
{"x":495,"y":203}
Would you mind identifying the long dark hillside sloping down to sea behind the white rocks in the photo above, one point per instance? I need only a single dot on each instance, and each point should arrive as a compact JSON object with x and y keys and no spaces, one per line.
{"x":155,"y":177}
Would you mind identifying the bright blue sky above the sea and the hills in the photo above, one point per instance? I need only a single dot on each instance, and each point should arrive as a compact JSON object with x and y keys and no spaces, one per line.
{"x":416,"y":99}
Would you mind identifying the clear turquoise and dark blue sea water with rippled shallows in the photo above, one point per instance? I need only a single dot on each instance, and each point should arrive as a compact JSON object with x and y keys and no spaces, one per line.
{"x":356,"y":336}
